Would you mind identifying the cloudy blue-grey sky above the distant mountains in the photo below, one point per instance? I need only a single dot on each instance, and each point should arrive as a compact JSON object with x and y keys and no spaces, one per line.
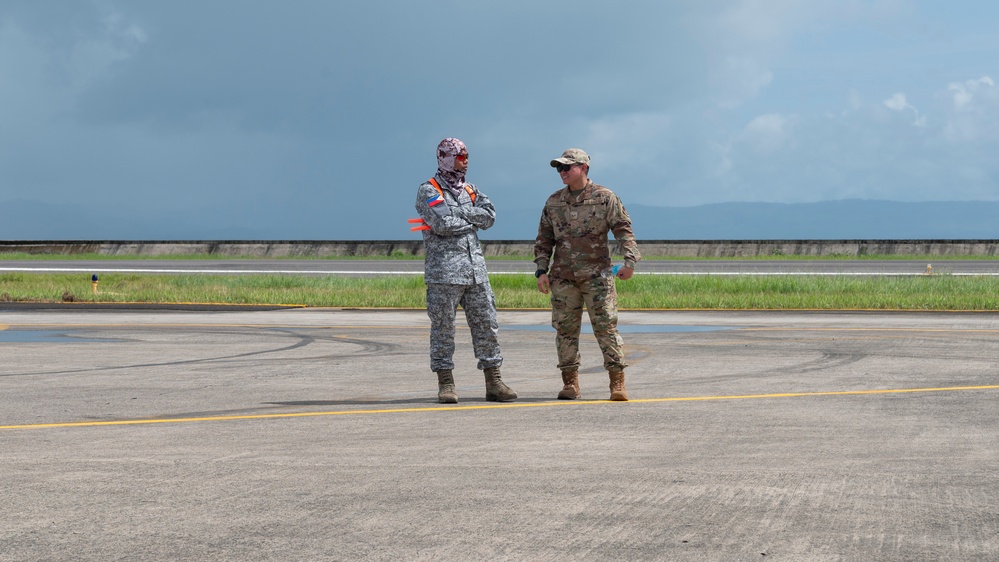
{"x":314,"y":119}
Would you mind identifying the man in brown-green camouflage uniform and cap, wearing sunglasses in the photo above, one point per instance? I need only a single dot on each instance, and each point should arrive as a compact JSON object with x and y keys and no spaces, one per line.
{"x":574,"y":227}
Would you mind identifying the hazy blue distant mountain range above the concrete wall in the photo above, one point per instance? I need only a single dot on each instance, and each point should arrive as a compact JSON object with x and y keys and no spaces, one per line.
{"x":852,"y":219}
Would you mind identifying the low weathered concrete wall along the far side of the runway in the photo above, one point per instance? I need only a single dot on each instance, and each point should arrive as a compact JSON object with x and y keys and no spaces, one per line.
{"x":663,"y":248}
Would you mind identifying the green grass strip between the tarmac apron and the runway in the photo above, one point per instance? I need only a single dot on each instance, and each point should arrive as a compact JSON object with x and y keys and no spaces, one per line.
{"x":784,"y":292}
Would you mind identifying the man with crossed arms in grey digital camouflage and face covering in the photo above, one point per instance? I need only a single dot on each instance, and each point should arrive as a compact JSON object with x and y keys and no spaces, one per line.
{"x":455,"y":271}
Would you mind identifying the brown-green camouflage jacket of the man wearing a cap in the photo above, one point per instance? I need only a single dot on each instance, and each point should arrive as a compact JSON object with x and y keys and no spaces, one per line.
{"x":576,"y":233}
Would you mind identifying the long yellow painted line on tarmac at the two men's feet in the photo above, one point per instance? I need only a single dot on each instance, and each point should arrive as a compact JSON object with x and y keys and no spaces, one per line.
{"x":496,"y":406}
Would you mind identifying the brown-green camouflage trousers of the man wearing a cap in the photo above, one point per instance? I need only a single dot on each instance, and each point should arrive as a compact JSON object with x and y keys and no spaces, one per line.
{"x":600,"y":298}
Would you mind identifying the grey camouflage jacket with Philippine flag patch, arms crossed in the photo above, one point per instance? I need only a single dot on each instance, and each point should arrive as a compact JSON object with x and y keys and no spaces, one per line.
{"x":454,"y":255}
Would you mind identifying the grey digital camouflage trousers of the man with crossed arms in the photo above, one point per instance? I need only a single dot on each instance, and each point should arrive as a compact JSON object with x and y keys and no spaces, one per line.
{"x":479,"y":305}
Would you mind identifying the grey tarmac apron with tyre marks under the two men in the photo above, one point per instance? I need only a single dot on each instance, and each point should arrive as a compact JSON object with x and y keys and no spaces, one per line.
{"x":314,"y":434}
